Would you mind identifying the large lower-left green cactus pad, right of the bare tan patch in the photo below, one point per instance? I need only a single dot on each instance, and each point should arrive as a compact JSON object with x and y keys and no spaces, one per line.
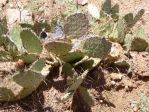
{"x":29,"y":81}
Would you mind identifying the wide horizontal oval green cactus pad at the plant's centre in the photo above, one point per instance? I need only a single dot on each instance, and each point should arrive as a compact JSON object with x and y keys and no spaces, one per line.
{"x":58,"y":47}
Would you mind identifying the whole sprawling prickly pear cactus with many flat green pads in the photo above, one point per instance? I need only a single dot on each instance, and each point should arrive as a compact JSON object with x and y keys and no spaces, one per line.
{"x":26,"y":58}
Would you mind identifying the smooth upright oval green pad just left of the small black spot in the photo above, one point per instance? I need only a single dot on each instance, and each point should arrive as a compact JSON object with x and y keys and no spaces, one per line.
{"x":31,"y":41}
